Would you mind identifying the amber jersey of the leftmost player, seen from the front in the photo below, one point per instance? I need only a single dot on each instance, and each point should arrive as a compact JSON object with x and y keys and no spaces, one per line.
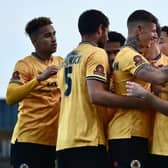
{"x":38,"y":111}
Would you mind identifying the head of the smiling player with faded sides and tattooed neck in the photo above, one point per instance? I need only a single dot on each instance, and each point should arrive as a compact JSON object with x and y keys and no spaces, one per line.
{"x":142,"y":25}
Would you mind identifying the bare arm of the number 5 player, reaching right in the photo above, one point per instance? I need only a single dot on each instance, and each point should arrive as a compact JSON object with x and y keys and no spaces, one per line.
{"x":100,"y":96}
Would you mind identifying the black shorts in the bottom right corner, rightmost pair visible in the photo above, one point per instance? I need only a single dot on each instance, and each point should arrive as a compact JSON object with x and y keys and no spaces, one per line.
{"x":158,"y":161}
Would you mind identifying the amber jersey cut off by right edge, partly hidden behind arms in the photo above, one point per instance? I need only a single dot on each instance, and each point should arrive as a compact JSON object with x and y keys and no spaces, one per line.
{"x":160,"y":132}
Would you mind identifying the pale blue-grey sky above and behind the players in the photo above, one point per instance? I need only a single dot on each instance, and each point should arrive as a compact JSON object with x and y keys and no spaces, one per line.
{"x":14,"y":14}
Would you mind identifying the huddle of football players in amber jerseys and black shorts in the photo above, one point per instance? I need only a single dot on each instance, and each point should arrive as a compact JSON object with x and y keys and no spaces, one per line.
{"x":95,"y":108}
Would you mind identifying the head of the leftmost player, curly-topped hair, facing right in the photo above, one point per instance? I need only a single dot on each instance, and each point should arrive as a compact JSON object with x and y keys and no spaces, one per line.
{"x":42,"y":35}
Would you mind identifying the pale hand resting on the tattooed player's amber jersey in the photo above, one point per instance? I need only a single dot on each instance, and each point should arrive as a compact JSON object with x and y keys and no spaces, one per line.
{"x":134,"y":89}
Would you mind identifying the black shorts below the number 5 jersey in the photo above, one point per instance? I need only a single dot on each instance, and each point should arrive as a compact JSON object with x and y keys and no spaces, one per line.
{"x":83,"y":157}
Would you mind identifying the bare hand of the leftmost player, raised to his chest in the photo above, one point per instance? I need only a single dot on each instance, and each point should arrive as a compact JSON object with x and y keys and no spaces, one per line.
{"x":49,"y":71}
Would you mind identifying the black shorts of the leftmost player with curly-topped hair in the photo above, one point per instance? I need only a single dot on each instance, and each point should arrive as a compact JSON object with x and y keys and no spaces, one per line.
{"x":32,"y":155}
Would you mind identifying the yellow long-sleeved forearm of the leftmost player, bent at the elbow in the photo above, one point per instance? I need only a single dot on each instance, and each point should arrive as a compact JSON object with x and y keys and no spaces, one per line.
{"x":16,"y":92}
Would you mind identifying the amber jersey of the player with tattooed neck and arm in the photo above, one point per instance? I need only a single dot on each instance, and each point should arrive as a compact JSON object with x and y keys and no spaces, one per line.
{"x":128,"y":122}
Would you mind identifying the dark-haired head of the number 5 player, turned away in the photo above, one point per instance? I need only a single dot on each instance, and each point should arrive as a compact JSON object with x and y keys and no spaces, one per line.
{"x":94,"y":22}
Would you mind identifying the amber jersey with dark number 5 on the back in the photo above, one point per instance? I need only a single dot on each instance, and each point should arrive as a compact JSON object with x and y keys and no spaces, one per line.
{"x":80,"y":121}
